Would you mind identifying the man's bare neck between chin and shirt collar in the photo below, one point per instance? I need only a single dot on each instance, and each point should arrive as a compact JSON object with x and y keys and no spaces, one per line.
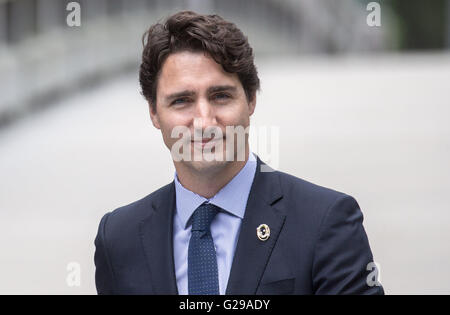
{"x":207,"y":183}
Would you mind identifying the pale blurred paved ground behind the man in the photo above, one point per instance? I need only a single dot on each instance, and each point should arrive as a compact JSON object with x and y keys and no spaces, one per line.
{"x":375,"y":128}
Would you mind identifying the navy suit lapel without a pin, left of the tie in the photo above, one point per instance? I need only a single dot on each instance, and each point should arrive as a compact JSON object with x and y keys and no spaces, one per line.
{"x":157,"y":240}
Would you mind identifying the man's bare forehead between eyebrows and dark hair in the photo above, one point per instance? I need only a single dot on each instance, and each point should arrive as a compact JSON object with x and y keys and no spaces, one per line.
{"x":192,"y":70}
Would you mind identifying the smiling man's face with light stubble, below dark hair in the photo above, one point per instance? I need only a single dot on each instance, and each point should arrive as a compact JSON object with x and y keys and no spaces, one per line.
{"x":192,"y":86}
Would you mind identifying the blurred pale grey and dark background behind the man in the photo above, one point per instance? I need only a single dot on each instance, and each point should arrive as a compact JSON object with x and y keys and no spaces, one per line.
{"x":359,"y":93}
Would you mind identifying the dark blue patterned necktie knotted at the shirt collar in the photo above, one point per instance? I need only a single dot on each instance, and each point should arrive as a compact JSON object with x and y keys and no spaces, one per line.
{"x":202,"y":262}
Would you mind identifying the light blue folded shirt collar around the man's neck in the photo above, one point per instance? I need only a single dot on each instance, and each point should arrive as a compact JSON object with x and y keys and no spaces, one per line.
{"x":231,"y":198}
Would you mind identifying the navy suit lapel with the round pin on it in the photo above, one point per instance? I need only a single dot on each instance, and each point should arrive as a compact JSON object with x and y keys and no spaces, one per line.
{"x":252,"y":254}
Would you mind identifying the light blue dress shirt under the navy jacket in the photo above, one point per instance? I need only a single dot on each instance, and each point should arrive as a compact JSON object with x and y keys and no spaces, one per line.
{"x":232,"y":198}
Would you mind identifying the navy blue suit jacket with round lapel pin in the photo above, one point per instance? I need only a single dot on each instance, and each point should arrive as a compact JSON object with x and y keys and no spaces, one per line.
{"x":317,"y":243}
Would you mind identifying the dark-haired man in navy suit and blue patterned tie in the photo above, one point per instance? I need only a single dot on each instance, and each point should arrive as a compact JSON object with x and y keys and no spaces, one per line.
{"x":224,"y":225}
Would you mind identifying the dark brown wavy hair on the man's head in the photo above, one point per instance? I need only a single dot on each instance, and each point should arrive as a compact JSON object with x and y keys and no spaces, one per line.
{"x":189,"y":31}
